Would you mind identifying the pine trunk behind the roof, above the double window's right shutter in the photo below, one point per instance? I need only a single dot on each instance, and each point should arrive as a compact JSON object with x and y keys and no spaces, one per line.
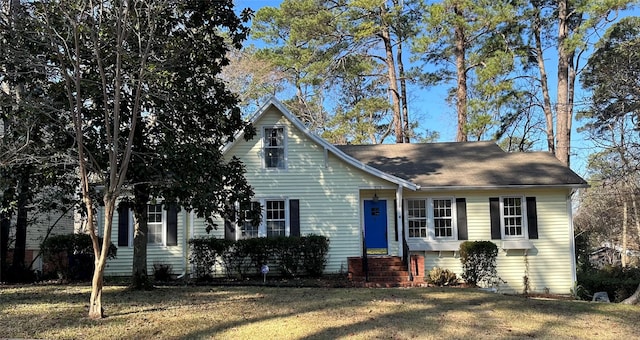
{"x":461,"y":71}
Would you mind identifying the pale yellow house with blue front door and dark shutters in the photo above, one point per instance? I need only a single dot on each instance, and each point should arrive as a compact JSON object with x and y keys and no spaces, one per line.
{"x":392,"y":199}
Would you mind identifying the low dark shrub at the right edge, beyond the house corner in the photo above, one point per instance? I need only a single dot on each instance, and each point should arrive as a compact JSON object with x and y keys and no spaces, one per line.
{"x":618,"y":282}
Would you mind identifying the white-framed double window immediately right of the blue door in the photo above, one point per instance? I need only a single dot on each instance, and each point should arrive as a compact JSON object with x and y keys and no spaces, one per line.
{"x":431,"y":218}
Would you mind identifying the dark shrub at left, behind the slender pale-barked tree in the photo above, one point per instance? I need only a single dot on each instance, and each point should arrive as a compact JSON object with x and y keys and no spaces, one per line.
{"x":70,"y":256}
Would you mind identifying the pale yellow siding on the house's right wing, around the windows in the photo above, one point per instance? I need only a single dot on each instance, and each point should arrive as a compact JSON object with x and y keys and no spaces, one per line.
{"x":549,"y":262}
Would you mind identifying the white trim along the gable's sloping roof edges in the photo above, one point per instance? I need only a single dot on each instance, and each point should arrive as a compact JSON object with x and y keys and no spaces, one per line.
{"x":326,"y":145}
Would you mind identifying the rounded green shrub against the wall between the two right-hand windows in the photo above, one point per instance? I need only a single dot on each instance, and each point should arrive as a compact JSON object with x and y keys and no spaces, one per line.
{"x":478,"y":262}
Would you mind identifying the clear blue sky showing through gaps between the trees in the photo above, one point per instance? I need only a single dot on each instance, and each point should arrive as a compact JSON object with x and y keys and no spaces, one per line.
{"x":432,"y":111}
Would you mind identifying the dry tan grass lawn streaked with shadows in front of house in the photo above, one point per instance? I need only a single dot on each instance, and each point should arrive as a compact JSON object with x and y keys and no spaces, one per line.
{"x":177,"y":312}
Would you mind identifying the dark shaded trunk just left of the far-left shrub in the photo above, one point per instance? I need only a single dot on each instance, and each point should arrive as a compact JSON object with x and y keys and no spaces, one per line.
{"x":20,"y":246}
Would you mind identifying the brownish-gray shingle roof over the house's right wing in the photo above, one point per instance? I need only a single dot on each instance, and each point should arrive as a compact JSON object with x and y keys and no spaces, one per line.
{"x":468,"y":164}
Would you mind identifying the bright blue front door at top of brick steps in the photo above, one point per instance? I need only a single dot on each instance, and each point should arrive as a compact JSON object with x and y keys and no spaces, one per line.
{"x":375,"y":227}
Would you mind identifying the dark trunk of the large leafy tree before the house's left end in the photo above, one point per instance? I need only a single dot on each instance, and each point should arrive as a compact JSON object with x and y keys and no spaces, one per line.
{"x":139,"y":275}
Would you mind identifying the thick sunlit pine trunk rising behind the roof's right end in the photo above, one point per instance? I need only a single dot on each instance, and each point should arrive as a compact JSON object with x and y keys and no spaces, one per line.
{"x":563,"y":110}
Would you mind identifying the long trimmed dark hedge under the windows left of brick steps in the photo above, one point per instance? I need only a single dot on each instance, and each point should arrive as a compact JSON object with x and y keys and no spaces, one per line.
{"x":291,"y":256}
